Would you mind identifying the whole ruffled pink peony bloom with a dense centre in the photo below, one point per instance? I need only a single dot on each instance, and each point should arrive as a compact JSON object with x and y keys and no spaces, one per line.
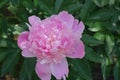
{"x":52,"y":40}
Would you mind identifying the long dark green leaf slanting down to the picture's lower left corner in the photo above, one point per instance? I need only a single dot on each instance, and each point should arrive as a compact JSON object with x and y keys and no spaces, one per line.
{"x":10,"y":62}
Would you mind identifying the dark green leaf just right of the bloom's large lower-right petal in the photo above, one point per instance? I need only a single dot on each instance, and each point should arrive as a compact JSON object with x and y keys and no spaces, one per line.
{"x":92,"y":55}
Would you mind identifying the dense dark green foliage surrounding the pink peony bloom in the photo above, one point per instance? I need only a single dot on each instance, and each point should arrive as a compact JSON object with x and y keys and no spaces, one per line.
{"x":101,"y":37}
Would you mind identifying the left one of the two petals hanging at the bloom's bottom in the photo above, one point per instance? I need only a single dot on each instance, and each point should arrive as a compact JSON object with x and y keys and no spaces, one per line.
{"x":43,"y":71}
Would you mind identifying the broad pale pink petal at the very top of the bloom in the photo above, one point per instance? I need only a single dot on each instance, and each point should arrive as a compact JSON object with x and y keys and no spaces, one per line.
{"x":66,"y":19}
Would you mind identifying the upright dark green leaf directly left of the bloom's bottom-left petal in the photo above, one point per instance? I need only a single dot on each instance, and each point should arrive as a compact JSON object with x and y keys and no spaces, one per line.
{"x":27,"y":70}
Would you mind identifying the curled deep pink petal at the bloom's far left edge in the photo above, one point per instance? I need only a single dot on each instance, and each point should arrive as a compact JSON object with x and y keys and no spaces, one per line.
{"x":23,"y":39}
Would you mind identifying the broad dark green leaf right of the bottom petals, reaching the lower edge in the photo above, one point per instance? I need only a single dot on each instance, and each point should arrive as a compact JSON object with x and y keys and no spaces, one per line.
{"x":82,"y":68}
